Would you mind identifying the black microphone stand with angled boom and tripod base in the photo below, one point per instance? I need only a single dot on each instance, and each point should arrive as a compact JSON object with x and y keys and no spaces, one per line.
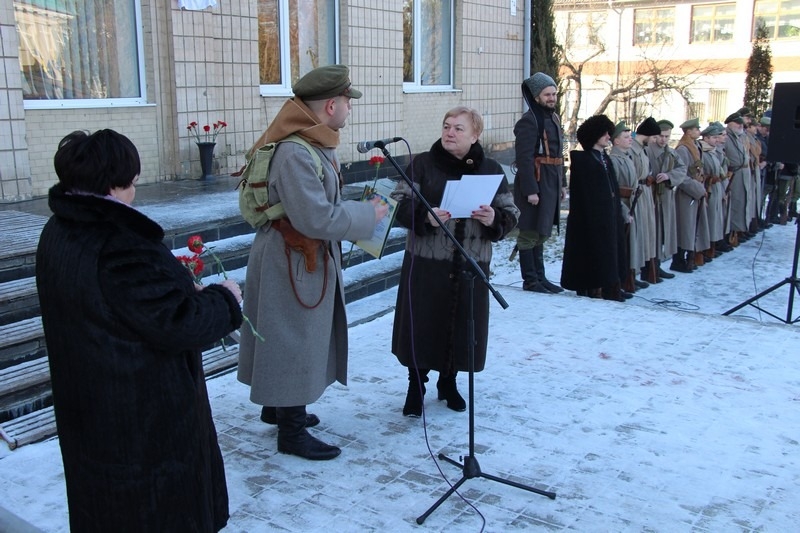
{"x":470,"y":468}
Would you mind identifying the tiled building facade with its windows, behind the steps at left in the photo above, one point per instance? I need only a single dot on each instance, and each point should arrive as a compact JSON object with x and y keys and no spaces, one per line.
{"x":149,"y":68}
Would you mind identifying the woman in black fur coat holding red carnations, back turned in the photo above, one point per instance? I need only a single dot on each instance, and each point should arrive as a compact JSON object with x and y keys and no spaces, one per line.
{"x":125,"y":323}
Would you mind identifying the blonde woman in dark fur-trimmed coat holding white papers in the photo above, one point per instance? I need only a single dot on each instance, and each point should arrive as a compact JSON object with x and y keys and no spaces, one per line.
{"x":430,"y":325}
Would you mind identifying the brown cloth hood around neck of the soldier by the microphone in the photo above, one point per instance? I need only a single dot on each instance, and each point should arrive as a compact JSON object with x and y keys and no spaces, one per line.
{"x":295,"y":117}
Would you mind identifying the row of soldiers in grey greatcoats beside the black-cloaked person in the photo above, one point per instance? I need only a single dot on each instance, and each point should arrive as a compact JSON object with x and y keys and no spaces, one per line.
{"x":690,"y":203}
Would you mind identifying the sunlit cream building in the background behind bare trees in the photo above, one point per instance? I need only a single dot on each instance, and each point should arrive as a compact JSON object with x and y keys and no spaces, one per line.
{"x":699,"y":47}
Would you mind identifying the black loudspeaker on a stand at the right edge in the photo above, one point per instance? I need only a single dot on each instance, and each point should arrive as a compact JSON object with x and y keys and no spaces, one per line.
{"x":784,"y":130}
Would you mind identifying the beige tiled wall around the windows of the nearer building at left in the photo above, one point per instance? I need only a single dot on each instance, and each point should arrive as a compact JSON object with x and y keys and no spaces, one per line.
{"x":203,"y":66}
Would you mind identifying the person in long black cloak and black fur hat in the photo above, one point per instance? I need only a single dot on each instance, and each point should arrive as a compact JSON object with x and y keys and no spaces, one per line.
{"x":594,"y":247}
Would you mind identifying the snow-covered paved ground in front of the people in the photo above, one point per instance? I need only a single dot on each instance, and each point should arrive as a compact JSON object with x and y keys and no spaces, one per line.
{"x":657,"y":414}
